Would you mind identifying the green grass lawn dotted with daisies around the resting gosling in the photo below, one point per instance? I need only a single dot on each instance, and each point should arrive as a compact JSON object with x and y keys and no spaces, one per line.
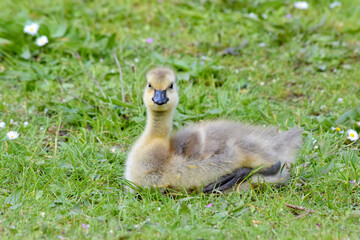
{"x":64,"y":171}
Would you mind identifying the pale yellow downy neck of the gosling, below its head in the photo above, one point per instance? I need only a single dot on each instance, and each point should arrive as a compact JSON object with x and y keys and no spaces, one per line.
{"x":159,"y":124}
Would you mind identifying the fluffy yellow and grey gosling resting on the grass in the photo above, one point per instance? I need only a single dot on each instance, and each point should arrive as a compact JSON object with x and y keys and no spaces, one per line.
{"x":199,"y":155}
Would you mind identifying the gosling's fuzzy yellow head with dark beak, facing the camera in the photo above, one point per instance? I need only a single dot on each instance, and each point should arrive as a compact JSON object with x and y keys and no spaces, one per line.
{"x":161,"y":92}
